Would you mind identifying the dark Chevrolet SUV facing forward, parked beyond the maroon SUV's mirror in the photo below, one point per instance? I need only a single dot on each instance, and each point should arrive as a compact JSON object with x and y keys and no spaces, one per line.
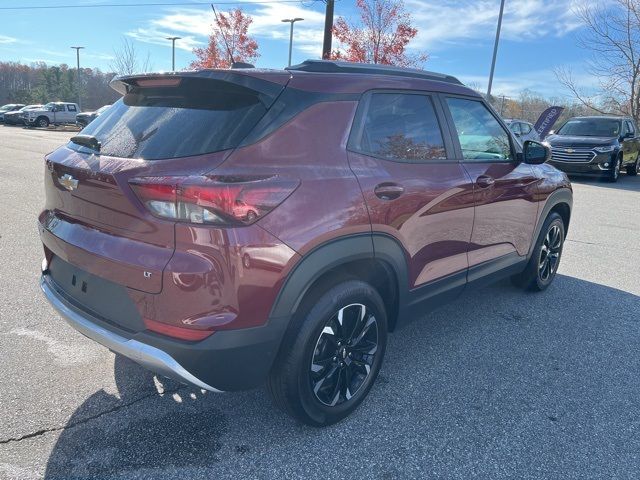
{"x":600,"y":146}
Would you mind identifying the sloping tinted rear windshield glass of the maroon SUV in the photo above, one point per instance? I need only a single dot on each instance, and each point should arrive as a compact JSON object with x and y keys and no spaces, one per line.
{"x":198,"y":116}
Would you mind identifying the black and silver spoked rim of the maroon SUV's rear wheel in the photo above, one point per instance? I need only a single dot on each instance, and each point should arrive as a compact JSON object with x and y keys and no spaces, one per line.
{"x":344,"y":355}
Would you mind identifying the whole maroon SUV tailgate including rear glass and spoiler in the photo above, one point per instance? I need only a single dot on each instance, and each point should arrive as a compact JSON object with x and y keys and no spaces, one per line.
{"x":183,"y":124}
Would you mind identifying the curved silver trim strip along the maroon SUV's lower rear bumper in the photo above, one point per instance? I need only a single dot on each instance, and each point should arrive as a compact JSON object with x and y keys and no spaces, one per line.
{"x":149,"y":357}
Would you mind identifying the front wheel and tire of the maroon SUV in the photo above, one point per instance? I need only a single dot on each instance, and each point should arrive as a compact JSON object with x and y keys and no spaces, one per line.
{"x":543,"y":265}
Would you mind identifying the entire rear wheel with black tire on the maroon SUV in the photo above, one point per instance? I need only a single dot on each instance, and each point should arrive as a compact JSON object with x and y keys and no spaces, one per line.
{"x":321,"y":375}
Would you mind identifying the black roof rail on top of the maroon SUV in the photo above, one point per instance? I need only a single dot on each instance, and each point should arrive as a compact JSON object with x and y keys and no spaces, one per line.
{"x":331,"y":66}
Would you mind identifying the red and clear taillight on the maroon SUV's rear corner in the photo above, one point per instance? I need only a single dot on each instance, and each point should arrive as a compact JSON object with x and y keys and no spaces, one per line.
{"x":219,"y":200}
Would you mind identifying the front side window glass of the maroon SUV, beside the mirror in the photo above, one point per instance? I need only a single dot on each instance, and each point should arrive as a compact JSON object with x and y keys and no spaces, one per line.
{"x":481,"y":136}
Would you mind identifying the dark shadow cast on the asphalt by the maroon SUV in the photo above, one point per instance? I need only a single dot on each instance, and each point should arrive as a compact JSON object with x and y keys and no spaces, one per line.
{"x":491,"y":385}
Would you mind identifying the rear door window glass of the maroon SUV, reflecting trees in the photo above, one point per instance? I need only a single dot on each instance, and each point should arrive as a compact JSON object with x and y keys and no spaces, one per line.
{"x":402,"y":127}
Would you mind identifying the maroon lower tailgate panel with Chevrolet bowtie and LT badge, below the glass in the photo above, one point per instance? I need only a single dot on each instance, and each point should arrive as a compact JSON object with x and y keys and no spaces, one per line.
{"x":93,"y":220}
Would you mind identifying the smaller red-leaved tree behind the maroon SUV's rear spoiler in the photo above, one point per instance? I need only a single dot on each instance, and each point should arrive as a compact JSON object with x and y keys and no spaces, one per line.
{"x":232,"y":27}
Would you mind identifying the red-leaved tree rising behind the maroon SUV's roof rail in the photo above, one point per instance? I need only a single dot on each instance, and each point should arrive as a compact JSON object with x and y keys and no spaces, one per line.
{"x":381,"y":37}
